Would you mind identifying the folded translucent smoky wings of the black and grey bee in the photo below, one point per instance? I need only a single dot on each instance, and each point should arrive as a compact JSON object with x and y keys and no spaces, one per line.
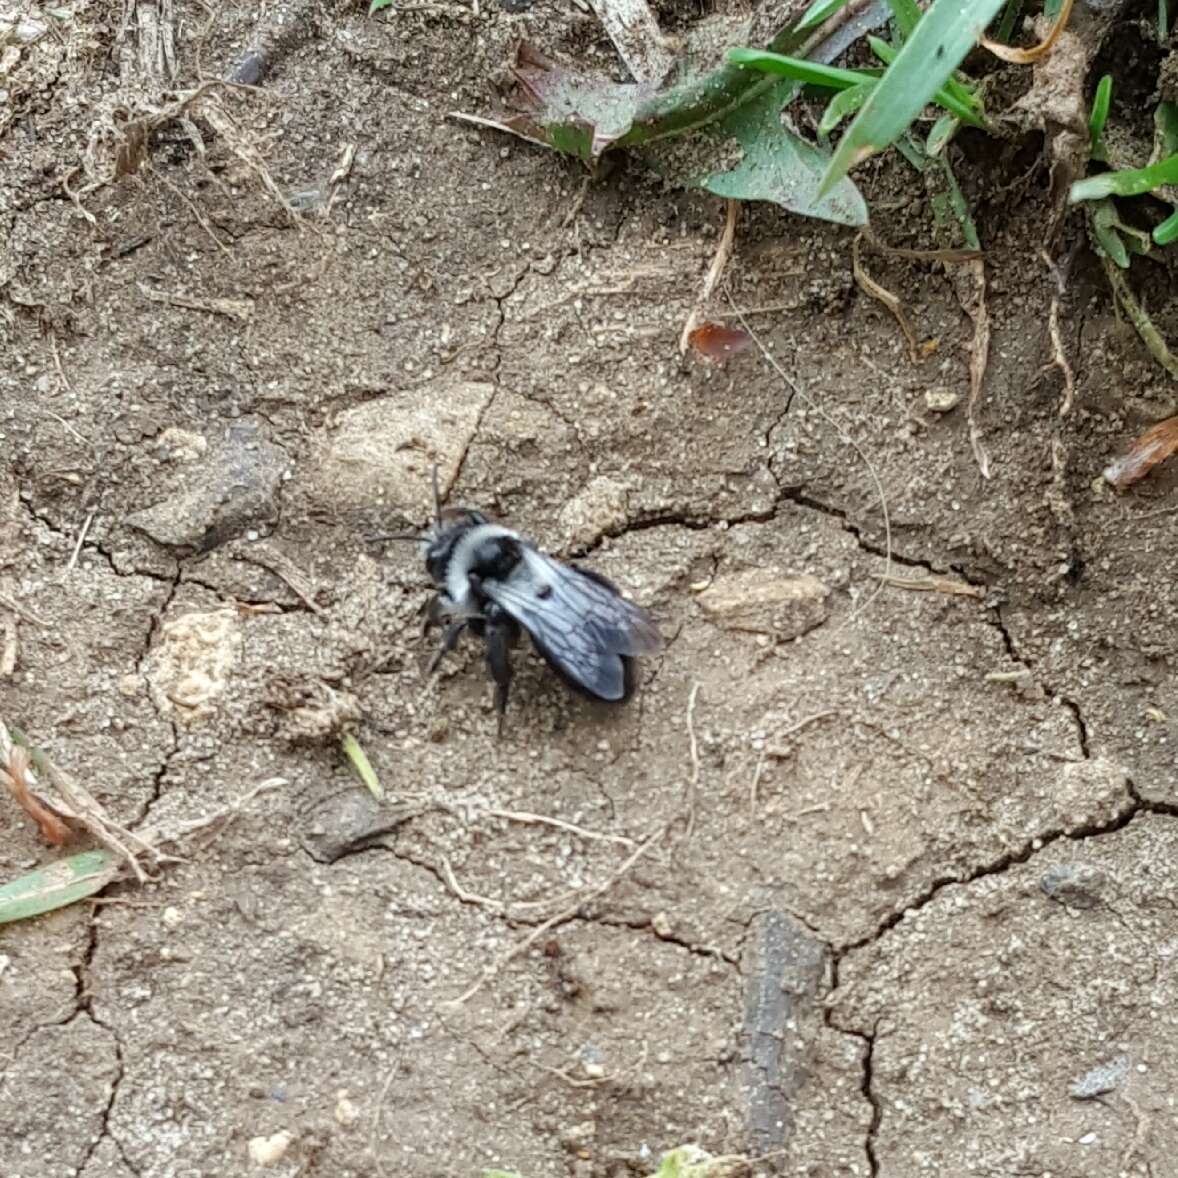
{"x":578,"y":620}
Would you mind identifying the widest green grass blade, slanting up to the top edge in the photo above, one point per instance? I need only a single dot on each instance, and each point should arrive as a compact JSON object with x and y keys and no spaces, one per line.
{"x":944,"y":37}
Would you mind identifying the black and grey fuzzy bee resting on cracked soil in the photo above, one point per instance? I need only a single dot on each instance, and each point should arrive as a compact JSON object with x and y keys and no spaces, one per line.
{"x":495,"y":584}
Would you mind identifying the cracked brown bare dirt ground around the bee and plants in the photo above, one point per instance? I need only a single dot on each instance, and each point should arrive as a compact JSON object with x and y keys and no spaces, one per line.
{"x":905,"y":869}
